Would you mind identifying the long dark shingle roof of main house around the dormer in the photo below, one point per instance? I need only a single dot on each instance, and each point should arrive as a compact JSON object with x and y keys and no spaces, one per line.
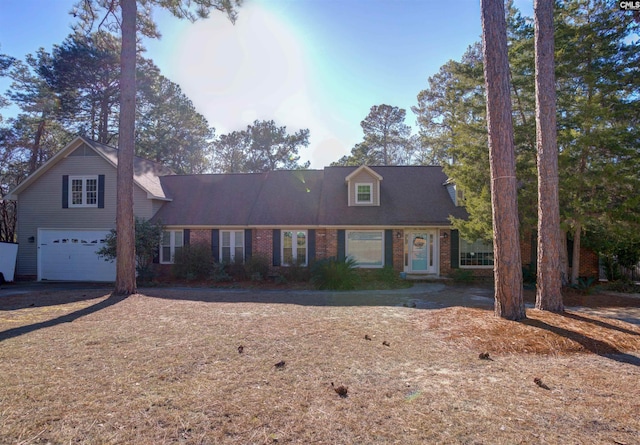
{"x":410,"y":196}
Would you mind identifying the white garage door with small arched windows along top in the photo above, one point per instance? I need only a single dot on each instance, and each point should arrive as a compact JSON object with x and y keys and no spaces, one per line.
{"x":70,"y":255}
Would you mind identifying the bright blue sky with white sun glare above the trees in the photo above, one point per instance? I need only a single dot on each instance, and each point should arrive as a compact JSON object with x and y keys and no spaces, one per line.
{"x":317,"y":64}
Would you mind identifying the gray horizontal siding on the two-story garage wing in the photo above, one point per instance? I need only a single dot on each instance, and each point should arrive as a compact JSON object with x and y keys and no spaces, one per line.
{"x":40,"y":205}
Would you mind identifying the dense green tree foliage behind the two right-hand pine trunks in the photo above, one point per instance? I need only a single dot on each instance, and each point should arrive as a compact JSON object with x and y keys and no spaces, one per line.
{"x":597,"y":81}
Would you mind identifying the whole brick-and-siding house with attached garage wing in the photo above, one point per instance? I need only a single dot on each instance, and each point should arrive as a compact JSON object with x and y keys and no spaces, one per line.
{"x":394,"y":216}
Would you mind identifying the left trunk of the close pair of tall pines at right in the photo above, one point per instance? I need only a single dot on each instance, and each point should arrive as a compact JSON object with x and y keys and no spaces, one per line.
{"x":509,"y":302}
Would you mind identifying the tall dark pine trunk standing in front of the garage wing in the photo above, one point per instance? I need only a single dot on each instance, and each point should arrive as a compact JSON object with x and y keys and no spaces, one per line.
{"x":125,"y":227}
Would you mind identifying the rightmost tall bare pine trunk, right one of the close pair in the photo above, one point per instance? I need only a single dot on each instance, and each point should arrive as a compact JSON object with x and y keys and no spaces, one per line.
{"x":549,"y":279}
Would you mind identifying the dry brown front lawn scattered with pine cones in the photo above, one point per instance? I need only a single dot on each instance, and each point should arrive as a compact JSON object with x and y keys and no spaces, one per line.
{"x":164,"y":368}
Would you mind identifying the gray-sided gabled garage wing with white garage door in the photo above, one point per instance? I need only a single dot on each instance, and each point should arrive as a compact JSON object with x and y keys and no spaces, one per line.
{"x":68,"y":205}
